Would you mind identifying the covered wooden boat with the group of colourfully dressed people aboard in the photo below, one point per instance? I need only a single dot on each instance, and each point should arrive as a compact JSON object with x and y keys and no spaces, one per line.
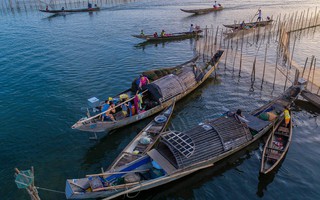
{"x":166,"y":86}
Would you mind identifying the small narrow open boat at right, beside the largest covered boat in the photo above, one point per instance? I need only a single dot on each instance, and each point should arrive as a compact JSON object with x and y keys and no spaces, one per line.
{"x":276,"y":146}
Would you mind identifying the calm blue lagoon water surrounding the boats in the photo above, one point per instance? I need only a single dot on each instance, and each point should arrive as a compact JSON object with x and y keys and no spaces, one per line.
{"x":50,"y":66}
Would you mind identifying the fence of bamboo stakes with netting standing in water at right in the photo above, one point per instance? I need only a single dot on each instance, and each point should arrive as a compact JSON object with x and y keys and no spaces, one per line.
{"x":288,"y":26}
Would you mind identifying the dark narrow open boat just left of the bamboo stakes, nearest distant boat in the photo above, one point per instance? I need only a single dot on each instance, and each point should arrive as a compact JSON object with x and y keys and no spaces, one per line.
{"x":171,"y":36}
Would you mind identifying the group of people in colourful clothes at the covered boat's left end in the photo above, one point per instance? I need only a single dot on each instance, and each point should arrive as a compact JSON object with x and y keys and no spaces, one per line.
{"x":124,"y":106}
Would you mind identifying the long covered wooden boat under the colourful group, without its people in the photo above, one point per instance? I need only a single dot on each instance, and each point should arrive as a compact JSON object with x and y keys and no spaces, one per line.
{"x":181,"y":81}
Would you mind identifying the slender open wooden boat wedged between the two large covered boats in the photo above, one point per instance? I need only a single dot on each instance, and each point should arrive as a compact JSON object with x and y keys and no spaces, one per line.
{"x":140,"y":145}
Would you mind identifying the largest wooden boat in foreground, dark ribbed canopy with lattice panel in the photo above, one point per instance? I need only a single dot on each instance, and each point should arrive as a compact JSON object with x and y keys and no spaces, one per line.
{"x":179,"y":154}
